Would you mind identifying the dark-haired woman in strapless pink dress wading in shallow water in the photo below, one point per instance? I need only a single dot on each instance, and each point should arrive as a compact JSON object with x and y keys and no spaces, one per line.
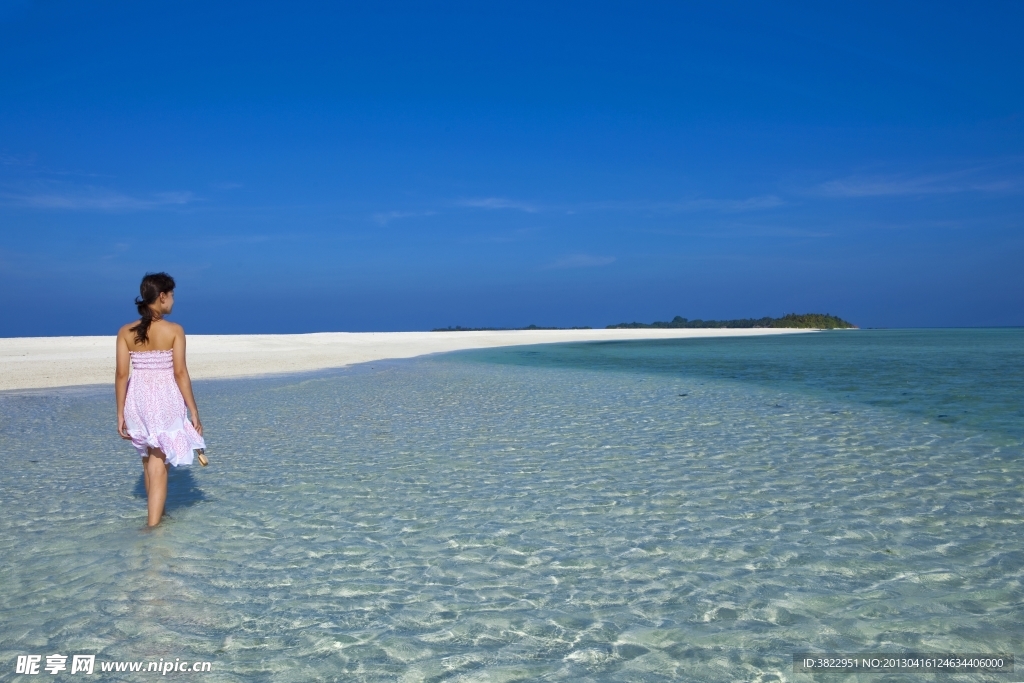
{"x":152,"y":403}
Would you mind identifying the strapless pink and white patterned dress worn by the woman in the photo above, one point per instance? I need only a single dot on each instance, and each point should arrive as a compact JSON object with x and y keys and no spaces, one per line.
{"x":155,"y":411}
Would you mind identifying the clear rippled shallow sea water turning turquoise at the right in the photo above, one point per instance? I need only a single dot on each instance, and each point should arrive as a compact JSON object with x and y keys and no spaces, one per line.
{"x":544,"y":514}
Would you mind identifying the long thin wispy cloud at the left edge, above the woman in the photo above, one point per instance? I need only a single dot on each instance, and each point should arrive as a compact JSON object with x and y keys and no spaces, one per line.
{"x":89,"y":198}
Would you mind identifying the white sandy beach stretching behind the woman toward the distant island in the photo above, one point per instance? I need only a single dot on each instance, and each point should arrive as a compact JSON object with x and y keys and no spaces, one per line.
{"x":37,"y":363}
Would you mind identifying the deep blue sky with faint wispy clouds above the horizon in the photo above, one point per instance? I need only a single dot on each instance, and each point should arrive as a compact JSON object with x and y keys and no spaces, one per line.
{"x":304,"y":167}
